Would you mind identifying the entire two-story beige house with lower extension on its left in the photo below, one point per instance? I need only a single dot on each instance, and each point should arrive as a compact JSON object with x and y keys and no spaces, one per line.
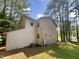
{"x":41,"y":32}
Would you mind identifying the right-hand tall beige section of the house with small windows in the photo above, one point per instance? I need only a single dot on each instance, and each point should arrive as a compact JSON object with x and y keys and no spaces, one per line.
{"x":46,"y":31}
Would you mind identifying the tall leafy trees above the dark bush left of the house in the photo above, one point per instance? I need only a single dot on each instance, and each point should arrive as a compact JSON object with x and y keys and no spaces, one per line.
{"x":11,"y":10}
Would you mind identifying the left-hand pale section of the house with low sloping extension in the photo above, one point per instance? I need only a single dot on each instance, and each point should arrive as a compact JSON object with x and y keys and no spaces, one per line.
{"x":23,"y":37}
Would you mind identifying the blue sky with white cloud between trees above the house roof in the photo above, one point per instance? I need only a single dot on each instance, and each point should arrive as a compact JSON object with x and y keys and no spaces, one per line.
{"x":38,"y":8}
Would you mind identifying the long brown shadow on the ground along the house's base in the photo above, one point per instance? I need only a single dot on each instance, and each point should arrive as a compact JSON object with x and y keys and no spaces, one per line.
{"x":28,"y":52}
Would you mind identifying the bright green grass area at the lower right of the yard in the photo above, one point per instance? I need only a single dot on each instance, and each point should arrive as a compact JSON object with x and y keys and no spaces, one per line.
{"x":66,"y":52}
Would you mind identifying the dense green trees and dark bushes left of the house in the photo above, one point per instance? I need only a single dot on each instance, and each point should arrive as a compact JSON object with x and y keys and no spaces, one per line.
{"x":7,"y":19}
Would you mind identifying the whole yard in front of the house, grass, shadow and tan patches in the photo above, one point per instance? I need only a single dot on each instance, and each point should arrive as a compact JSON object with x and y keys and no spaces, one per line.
{"x":60,"y":51}
